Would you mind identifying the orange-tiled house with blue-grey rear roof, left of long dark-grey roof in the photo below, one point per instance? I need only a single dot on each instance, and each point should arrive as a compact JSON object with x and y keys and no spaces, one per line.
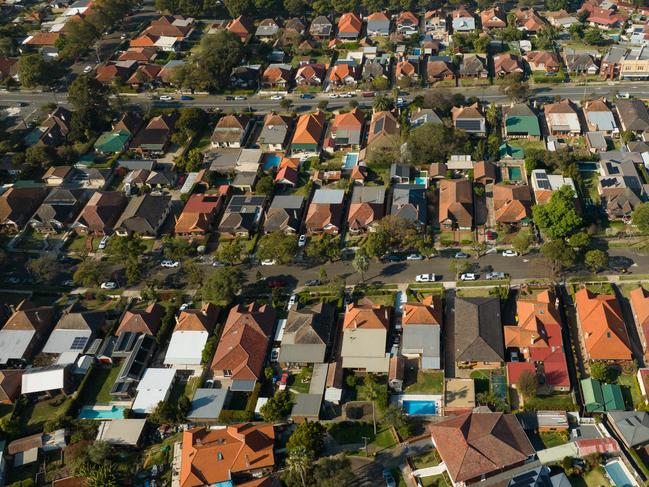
{"x":422,"y":323}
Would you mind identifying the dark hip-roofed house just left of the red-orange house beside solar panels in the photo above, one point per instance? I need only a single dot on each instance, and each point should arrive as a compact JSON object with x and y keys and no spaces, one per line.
{"x":144,"y":215}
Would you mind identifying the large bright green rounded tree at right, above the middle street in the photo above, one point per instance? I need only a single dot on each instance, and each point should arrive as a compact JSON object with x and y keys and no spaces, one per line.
{"x":558,"y":218}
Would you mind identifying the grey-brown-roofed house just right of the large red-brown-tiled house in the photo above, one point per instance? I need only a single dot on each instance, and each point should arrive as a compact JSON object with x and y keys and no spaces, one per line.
{"x":307,"y":335}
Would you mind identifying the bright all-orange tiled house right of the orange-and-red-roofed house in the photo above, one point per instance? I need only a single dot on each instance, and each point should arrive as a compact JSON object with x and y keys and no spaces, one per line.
{"x":602,"y":326}
